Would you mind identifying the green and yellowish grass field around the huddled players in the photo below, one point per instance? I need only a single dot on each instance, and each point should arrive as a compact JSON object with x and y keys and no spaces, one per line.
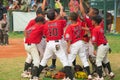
{"x":10,"y":69}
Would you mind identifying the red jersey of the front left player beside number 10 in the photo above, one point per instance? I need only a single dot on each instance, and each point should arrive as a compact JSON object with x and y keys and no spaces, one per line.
{"x":34,"y":34}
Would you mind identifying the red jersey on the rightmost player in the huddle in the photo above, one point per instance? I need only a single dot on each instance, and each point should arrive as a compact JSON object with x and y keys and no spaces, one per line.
{"x":98,"y":36}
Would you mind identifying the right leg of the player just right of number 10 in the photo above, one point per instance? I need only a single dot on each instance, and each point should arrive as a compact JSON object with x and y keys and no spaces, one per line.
{"x":83,"y":57}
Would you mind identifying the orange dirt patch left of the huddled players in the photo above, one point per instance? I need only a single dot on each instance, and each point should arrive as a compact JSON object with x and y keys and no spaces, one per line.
{"x":14,"y":49}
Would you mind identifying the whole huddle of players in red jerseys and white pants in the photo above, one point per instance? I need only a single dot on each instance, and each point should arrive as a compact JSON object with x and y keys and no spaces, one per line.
{"x":64,"y":37}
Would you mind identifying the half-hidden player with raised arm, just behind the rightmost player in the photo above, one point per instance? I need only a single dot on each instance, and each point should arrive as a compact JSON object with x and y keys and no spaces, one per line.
{"x":87,"y":18}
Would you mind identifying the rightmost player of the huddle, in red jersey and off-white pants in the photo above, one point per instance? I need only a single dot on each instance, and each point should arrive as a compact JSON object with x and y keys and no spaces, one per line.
{"x":100,"y":42}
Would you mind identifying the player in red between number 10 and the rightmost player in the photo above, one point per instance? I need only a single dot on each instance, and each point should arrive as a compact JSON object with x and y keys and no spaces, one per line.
{"x":75,"y":44}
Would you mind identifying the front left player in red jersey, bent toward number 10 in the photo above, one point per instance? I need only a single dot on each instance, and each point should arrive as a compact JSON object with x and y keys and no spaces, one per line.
{"x":33,"y":36}
